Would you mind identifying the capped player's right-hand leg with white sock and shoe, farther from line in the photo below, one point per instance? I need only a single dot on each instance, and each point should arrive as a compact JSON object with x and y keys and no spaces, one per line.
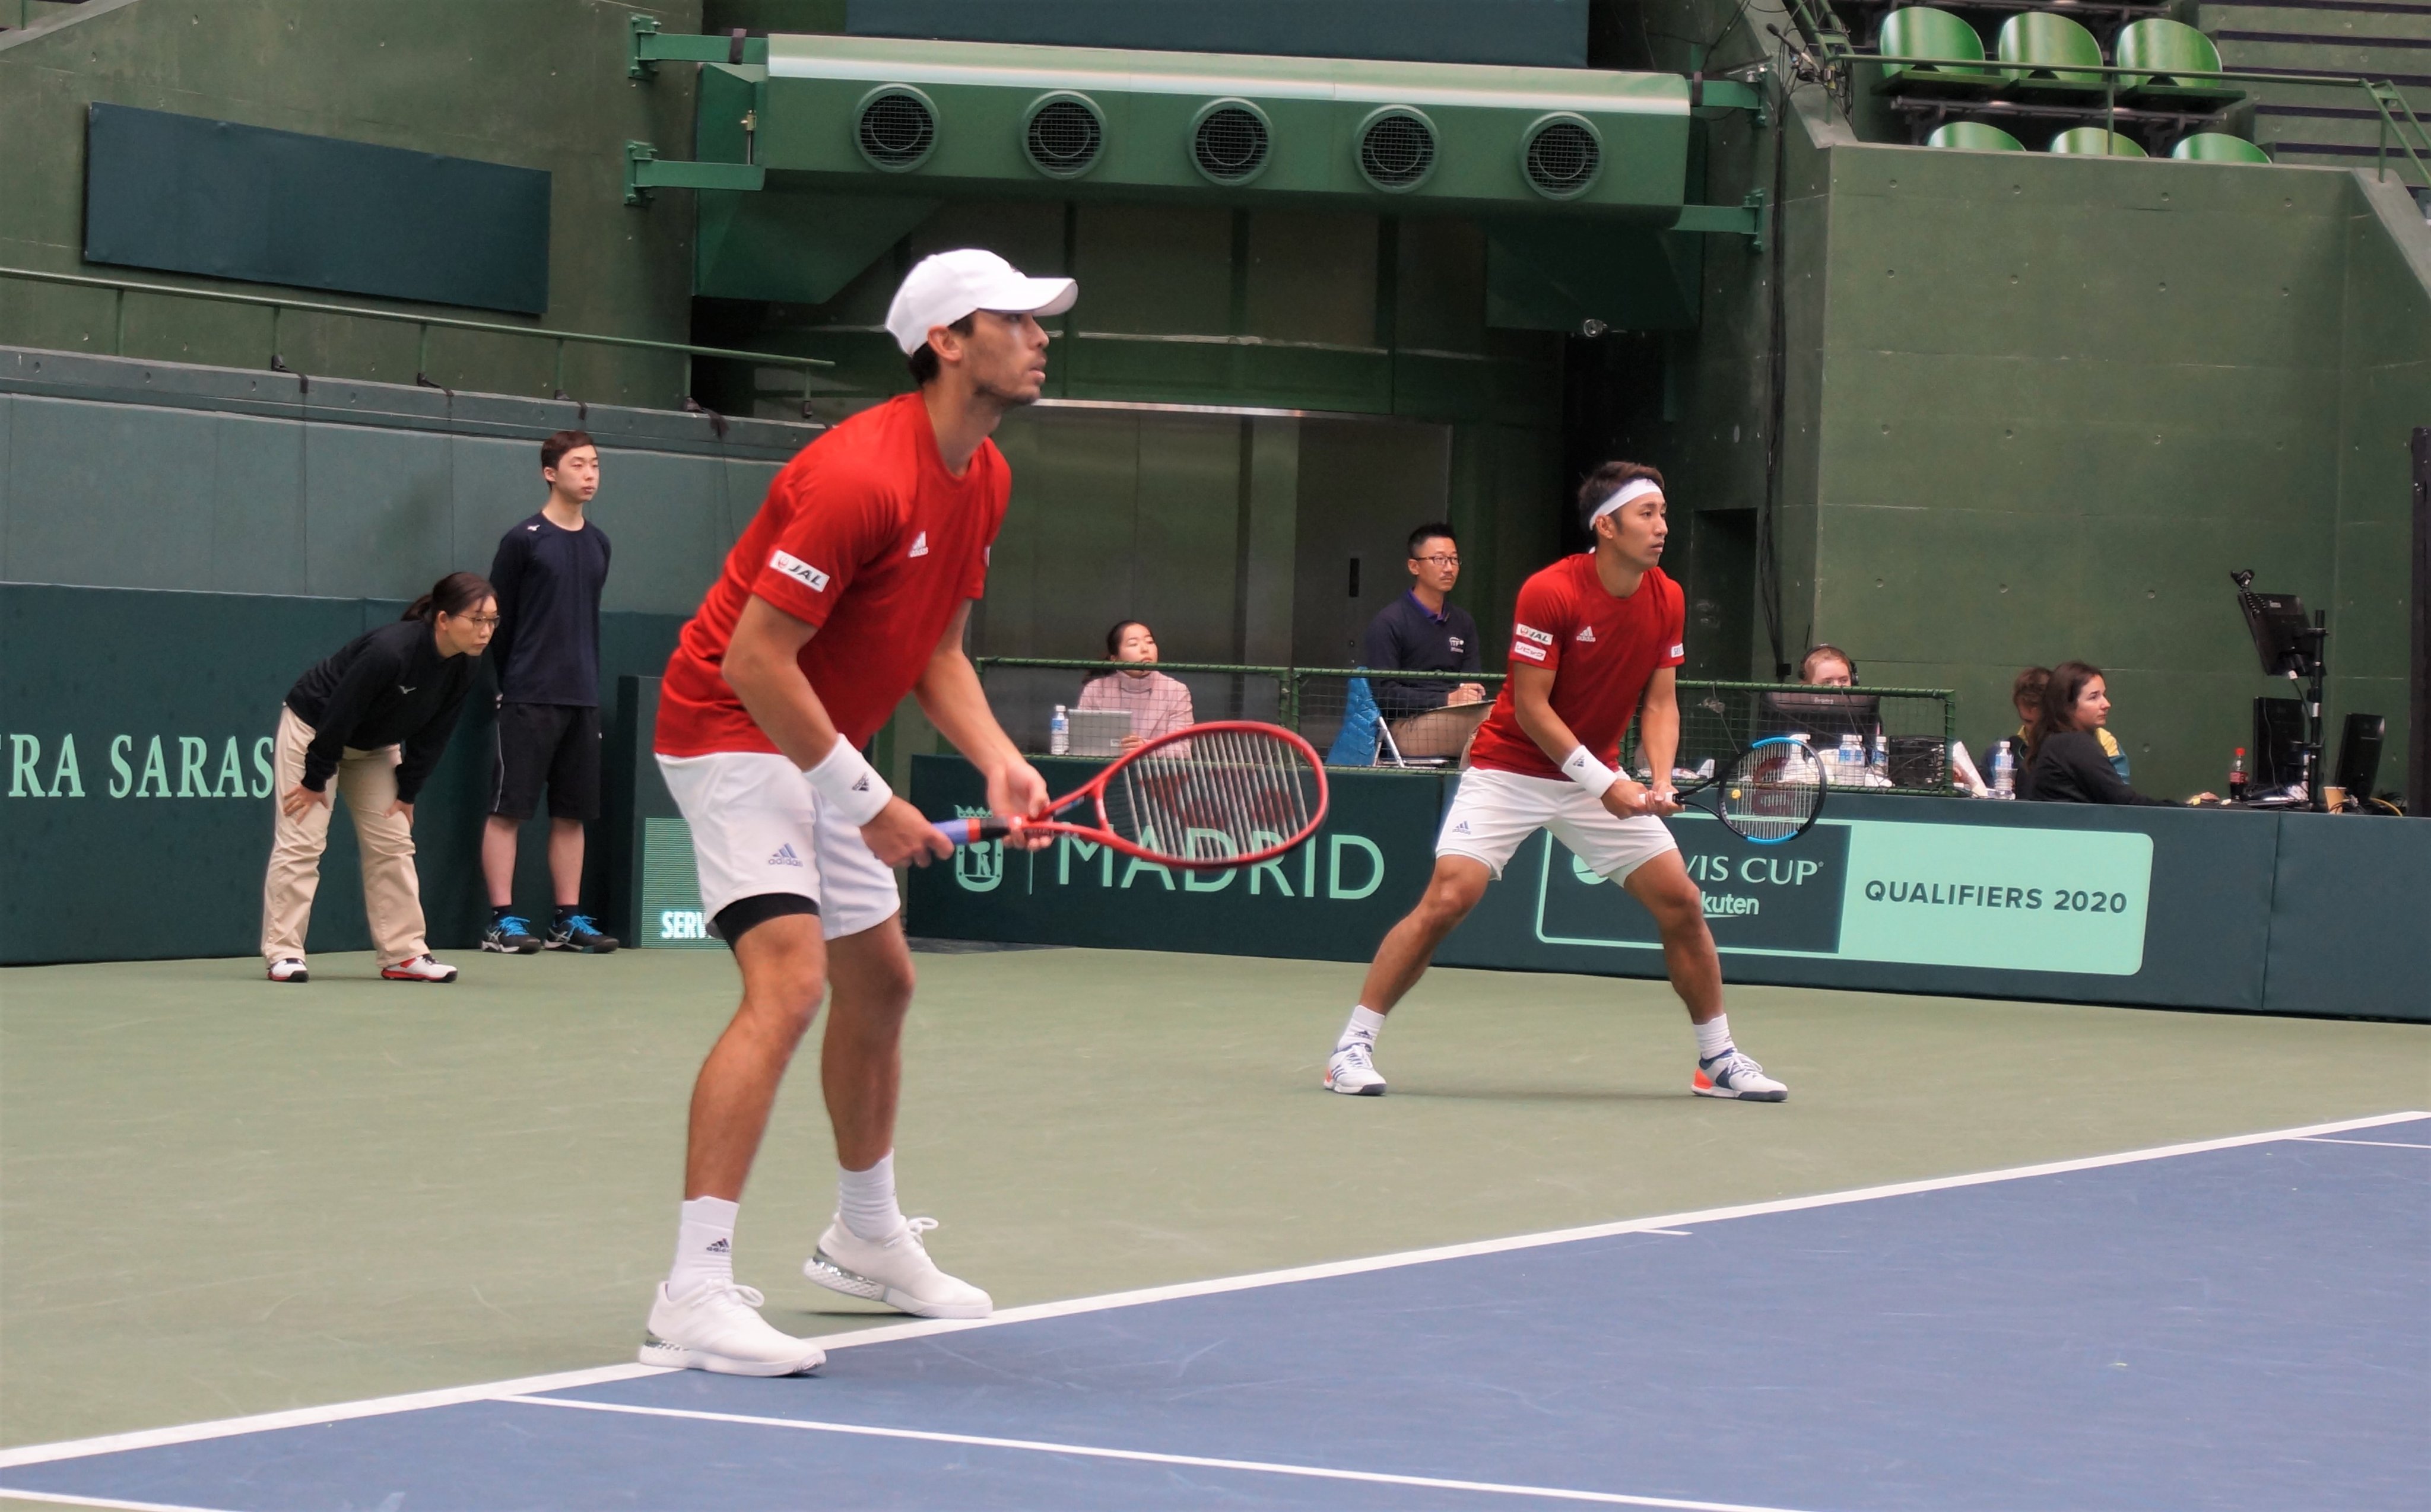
{"x":872,"y":1251}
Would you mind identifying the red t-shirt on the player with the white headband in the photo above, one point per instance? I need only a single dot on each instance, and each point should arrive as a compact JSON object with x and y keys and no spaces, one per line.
{"x":1601,"y":650}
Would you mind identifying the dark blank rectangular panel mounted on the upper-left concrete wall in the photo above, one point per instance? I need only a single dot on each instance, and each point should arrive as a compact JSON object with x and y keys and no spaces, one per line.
{"x":281,"y":208}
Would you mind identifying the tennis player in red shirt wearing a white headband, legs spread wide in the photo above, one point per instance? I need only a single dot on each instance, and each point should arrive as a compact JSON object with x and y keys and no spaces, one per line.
{"x":1596,"y":641}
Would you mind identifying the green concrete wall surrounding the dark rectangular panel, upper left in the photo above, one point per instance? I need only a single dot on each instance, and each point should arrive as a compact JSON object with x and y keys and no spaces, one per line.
{"x":536,"y":84}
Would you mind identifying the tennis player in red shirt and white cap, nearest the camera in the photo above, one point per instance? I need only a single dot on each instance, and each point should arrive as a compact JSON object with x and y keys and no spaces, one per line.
{"x":847,"y":592}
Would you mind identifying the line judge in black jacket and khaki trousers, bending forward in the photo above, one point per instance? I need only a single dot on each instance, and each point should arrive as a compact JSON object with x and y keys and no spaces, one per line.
{"x":376,"y":718}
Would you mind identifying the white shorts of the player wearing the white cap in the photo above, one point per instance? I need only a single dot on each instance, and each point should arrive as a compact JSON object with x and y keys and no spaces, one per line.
{"x":762,"y":828}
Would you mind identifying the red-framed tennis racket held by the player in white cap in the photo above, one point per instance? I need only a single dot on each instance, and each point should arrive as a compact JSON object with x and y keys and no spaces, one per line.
{"x":1205,"y":799}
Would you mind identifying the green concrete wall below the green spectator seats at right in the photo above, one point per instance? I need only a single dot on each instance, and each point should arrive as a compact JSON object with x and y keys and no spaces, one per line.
{"x":2065,"y":397}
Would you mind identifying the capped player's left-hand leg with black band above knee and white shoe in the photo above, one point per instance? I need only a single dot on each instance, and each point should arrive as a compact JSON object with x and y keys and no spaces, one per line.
{"x":701,"y":1319}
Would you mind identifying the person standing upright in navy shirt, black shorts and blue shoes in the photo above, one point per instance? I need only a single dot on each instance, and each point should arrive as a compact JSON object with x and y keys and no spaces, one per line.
{"x":551,"y":575}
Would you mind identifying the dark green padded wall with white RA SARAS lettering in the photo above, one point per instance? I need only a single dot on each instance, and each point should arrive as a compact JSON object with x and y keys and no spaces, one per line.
{"x":137,"y":738}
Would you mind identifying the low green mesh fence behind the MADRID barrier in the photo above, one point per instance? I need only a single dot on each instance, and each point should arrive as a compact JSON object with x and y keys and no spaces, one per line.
{"x":1426,"y":718}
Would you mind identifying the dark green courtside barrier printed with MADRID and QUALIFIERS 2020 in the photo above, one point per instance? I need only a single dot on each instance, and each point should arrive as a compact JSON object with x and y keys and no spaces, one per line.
{"x":2055,"y":903}
